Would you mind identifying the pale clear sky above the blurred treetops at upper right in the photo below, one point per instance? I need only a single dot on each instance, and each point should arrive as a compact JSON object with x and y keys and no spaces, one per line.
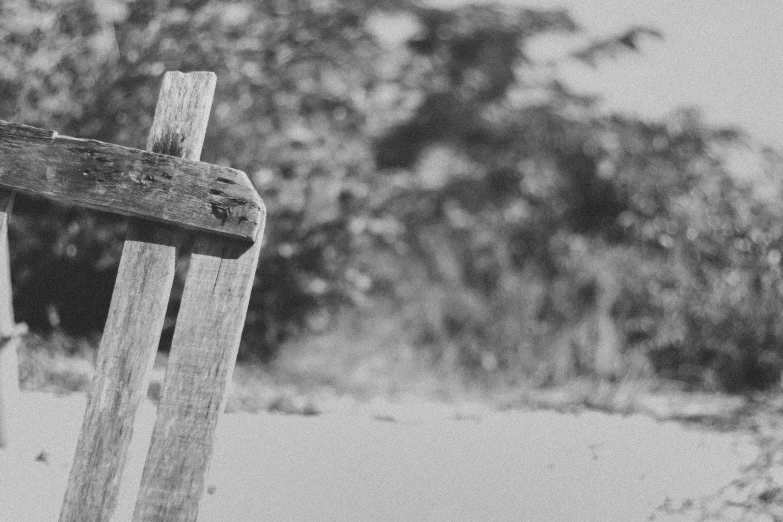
{"x":722,"y":56}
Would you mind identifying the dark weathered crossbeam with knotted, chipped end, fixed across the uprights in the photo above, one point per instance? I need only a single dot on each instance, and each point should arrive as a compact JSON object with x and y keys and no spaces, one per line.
{"x":131,"y":182}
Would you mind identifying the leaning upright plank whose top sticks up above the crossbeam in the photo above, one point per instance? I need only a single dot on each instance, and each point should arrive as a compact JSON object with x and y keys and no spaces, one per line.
{"x":136,"y":315}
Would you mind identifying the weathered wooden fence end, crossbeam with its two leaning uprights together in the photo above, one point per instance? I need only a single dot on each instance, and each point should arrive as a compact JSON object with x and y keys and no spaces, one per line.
{"x":164,"y":190}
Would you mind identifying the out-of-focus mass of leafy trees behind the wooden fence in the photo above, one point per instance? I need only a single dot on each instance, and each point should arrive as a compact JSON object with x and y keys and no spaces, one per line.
{"x":453,"y":175}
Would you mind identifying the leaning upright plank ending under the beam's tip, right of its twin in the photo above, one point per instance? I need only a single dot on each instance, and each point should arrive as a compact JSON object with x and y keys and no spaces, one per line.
{"x":201,"y":361}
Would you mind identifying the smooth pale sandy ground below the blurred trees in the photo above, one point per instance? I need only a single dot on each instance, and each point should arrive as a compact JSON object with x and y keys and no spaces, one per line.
{"x":403,"y":463}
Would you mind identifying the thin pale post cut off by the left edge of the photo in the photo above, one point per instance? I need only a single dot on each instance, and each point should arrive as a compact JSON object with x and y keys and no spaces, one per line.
{"x":9,"y":365}
